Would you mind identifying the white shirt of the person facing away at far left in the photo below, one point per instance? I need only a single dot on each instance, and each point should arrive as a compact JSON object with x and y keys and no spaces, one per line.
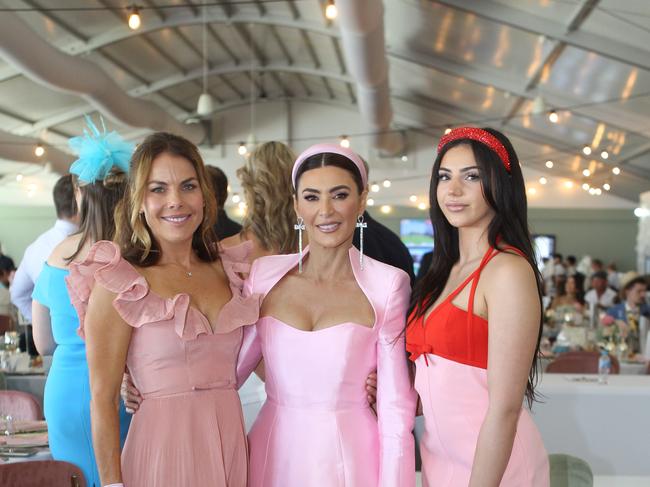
{"x":30,"y":267}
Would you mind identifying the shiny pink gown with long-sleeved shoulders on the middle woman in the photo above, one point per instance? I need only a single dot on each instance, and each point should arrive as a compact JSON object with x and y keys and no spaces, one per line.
{"x":316,"y":428}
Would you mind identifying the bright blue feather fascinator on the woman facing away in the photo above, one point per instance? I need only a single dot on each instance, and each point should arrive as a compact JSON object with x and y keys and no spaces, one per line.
{"x":99,"y":152}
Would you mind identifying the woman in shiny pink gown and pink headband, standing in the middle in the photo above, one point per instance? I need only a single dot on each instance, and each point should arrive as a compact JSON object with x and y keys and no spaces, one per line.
{"x":326,"y":324}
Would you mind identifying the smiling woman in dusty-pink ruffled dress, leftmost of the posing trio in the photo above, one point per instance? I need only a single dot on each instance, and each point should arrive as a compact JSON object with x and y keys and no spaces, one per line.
{"x":163,"y":303}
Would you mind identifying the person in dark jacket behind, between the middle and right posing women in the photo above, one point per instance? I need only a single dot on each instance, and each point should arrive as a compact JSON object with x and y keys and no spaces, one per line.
{"x":382,"y":244}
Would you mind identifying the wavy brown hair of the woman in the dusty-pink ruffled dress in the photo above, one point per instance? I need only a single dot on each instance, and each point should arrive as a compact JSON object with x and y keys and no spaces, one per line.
{"x":133,"y":235}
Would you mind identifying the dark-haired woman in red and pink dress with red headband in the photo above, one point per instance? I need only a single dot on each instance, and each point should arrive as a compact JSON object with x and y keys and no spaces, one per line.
{"x":476,"y":321}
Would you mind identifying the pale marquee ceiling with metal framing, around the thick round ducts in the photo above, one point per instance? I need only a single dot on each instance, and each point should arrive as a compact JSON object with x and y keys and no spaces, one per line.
{"x":451,"y":62}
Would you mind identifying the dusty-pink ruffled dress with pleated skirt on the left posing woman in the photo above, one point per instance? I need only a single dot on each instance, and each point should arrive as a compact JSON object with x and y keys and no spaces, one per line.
{"x":189,"y":429}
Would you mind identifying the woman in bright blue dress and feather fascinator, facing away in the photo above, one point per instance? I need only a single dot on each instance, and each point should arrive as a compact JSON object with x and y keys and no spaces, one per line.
{"x":101,"y":180}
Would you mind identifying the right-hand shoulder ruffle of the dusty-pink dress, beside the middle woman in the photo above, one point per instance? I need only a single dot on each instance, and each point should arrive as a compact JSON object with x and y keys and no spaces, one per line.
{"x":241,"y":310}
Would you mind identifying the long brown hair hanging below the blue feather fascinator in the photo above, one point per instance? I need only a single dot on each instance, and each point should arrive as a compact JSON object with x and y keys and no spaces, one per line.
{"x":98,"y":203}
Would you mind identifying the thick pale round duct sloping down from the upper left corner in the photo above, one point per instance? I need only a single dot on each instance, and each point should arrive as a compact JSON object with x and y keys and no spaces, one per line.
{"x":48,"y":66}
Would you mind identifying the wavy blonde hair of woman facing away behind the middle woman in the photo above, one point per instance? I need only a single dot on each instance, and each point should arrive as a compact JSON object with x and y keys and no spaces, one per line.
{"x":266,"y":181}
